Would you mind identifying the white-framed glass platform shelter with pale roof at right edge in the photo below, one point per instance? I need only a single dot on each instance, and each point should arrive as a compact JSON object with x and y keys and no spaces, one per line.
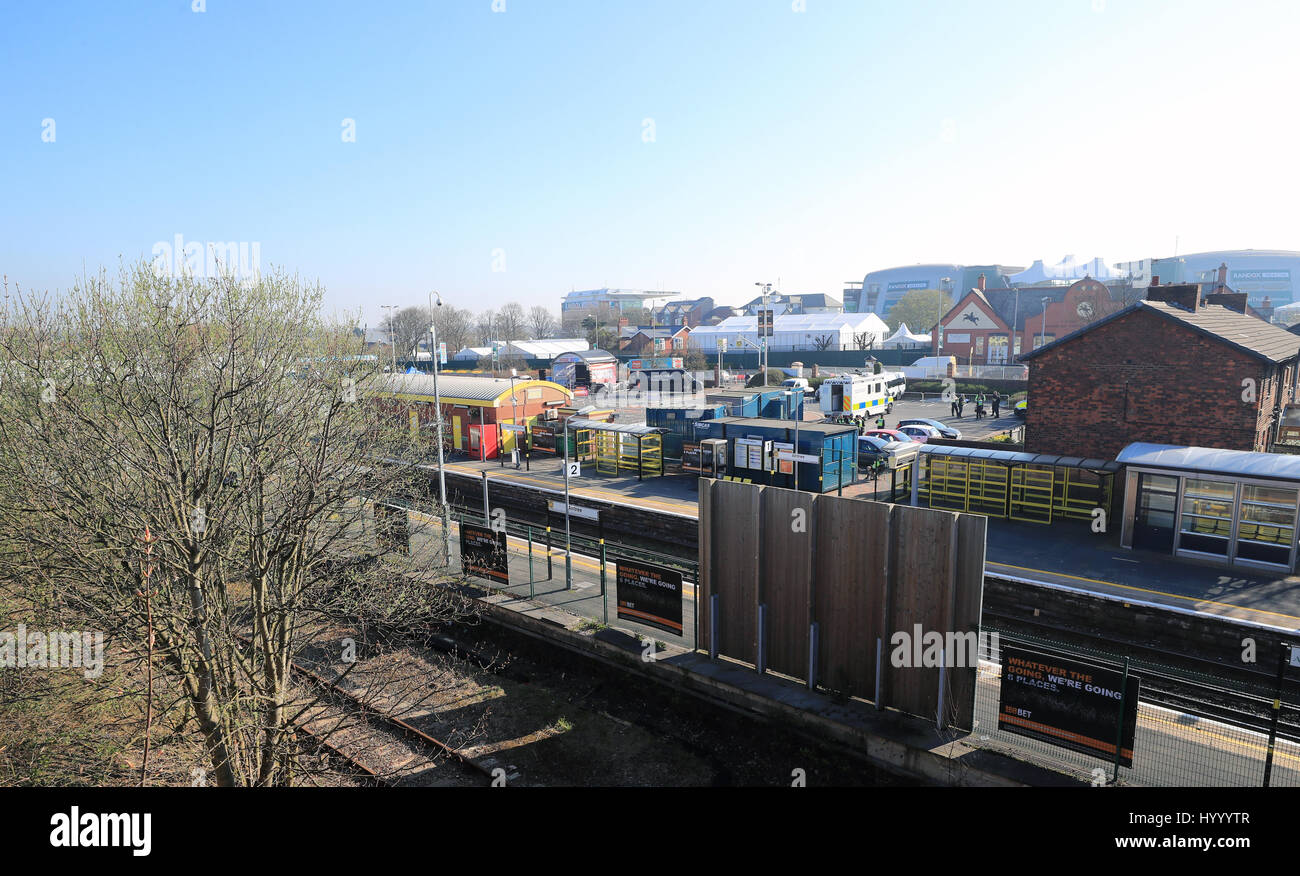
{"x":1232,"y":506}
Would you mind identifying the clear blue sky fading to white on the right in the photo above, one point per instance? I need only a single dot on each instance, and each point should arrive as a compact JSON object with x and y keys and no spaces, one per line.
{"x":805,"y":146}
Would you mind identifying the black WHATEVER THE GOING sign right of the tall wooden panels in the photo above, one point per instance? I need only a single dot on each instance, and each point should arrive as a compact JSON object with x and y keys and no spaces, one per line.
{"x":1068,"y":702}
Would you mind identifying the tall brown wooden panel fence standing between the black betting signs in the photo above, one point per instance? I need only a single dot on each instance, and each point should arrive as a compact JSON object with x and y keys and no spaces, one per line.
{"x":831,"y":578}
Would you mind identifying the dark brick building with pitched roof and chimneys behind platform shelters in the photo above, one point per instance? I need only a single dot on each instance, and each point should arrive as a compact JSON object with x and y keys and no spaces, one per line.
{"x":1168,"y":371}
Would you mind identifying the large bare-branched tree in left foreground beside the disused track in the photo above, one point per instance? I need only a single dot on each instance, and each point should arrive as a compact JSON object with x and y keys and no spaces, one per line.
{"x":236,"y":435}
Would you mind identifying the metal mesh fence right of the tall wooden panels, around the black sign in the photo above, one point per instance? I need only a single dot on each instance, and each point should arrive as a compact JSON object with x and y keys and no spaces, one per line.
{"x":1193,"y":731}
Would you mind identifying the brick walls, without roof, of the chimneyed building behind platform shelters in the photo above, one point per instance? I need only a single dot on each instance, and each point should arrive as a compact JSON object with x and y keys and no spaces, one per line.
{"x":1147,"y":379}
